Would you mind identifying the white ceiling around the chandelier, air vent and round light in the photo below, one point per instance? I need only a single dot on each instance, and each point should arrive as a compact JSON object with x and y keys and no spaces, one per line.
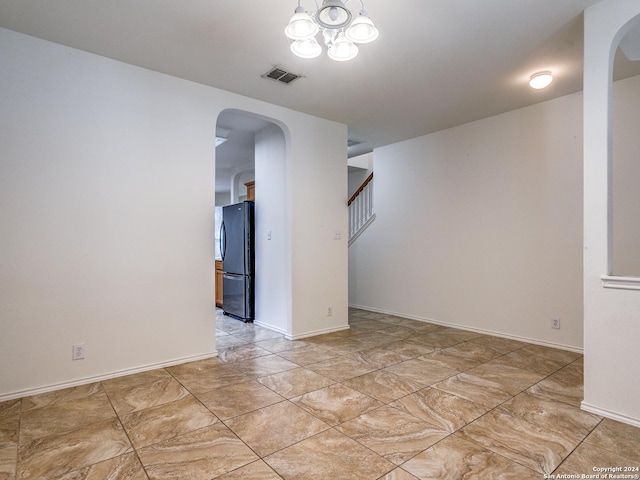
{"x":436,"y":64}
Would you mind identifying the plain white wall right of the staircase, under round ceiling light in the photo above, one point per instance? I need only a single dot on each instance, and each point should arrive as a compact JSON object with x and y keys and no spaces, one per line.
{"x":480,"y":226}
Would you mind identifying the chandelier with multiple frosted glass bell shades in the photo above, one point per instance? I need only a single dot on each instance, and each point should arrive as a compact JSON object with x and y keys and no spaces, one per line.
{"x":334,"y":20}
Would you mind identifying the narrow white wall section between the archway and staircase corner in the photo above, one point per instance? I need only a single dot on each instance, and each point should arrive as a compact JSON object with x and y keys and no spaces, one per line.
{"x":318,"y":211}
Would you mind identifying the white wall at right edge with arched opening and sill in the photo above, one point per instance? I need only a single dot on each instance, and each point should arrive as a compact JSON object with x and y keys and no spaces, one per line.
{"x":611,"y":320}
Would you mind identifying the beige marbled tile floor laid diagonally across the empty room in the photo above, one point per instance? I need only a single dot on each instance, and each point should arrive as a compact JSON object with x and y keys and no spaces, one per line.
{"x":390,"y":398}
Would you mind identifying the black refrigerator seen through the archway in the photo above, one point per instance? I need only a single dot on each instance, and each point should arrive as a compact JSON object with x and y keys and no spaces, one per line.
{"x":237,"y":246}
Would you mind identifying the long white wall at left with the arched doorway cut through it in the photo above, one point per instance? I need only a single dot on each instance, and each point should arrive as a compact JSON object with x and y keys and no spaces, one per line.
{"x":106,"y":187}
